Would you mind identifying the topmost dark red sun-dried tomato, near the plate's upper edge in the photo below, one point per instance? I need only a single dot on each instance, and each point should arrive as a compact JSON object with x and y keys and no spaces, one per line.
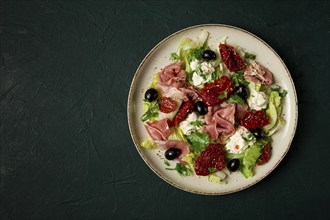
{"x":231,"y":59}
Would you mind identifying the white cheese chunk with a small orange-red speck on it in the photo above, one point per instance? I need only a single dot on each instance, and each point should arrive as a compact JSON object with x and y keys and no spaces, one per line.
{"x":241,"y":140}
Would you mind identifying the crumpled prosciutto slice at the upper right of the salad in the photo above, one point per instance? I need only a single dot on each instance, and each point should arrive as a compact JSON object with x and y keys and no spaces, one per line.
{"x":258,"y":74}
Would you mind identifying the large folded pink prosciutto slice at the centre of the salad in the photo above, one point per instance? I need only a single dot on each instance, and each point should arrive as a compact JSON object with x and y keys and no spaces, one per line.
{"x":220,"y":121}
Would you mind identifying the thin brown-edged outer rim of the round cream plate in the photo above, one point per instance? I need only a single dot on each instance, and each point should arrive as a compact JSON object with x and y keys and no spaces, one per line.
{"x":129,"y":108}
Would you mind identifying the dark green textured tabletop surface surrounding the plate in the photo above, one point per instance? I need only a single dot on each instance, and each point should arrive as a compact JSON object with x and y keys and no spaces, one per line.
{"x":66,"y":69}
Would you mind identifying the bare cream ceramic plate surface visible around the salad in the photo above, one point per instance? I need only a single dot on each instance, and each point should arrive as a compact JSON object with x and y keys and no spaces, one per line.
{"x":158,"y":57}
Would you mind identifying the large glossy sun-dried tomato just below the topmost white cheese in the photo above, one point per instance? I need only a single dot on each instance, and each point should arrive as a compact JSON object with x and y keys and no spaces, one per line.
{"x":211,"y":92}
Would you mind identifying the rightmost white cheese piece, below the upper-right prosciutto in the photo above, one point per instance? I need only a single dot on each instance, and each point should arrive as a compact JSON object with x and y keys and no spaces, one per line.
{"x":257,"y":100}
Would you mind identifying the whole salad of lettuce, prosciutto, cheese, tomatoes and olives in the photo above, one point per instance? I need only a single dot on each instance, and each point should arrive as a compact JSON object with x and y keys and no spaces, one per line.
{"x":212,"y":111}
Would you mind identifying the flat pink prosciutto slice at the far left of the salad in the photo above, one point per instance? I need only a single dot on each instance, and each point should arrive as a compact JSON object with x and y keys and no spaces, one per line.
{"x":159,"y":130}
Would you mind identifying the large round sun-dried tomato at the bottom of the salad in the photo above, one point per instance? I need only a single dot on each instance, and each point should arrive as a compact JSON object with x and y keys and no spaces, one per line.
{"x":213,"y":157}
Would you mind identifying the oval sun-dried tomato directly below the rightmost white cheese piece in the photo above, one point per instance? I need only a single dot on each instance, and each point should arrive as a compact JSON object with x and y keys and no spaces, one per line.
{"x":254,"y":119}
